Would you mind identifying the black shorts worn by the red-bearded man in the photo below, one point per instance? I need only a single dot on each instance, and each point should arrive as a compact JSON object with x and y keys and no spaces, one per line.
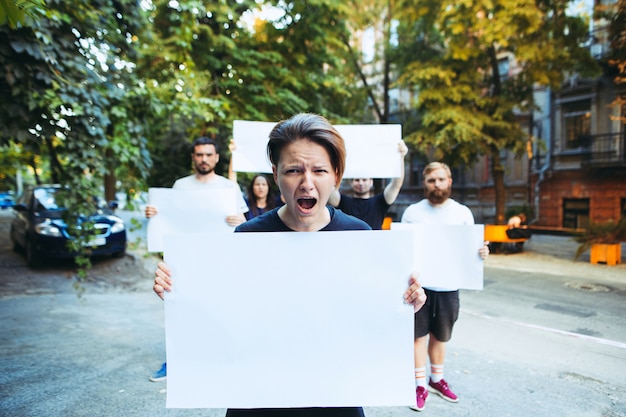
{"x":438,"y":315}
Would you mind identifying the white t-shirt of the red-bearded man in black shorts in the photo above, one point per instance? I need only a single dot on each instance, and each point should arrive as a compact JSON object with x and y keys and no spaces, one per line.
{"x":450,"y":212}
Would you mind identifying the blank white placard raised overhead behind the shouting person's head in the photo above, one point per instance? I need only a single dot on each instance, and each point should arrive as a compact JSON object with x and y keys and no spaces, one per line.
{"x":372,"y":150}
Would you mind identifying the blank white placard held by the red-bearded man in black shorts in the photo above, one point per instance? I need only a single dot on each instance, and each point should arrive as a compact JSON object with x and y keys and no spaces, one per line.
{"x":446,"y":256}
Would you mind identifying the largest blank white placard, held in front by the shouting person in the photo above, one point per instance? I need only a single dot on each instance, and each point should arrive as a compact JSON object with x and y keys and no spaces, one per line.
{"x":289,"y":319}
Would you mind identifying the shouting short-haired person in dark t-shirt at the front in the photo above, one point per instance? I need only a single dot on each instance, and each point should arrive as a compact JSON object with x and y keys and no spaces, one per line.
{"x":308,"y":159}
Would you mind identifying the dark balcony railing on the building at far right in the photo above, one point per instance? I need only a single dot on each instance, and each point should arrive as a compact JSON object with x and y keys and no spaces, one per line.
{"x":603,"y":149}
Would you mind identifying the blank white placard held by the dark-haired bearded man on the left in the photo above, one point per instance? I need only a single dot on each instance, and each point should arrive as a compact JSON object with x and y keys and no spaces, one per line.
{"x":189,"y":211}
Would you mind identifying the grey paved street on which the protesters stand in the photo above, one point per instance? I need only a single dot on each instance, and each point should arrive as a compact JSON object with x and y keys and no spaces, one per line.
{"x":546,"y":337}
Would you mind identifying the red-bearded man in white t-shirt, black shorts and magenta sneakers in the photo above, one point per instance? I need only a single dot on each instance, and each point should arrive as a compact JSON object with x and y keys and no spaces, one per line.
{"x":435,"y":320}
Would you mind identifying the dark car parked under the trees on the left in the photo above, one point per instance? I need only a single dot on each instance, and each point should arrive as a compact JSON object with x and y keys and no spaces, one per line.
{"x":39,"y":230}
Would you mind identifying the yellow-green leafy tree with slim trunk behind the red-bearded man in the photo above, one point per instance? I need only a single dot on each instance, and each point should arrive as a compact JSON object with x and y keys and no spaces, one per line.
{"x":467,"y":106}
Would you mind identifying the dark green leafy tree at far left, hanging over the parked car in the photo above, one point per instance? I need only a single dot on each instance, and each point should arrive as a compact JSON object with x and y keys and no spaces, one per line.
{"x":64,"y":73}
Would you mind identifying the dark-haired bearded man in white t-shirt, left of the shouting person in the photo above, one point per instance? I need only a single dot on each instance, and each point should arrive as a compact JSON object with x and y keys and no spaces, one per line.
{"x":204,"y":157}
